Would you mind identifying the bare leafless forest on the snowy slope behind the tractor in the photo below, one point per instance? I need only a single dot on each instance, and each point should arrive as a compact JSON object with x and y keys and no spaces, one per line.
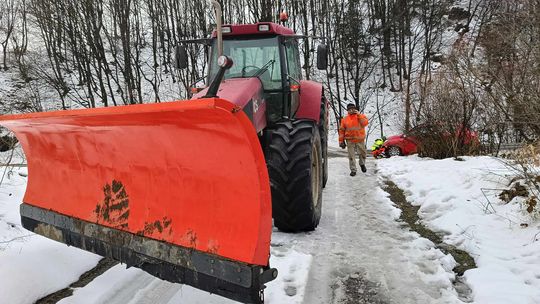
{"x":465,"y":64}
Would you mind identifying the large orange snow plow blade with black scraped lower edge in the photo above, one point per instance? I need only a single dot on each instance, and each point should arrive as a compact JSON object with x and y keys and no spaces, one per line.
{"x":178,"y":189}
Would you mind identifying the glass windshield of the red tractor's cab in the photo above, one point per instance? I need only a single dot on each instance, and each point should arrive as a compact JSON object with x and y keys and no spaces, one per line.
{"x":252,"y":58}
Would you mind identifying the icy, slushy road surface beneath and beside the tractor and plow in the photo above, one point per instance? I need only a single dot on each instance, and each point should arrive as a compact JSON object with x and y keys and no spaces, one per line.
{"x":358,"y":254}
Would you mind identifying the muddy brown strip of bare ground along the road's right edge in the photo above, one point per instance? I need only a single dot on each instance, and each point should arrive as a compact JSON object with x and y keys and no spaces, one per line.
{"x":409,"y":215}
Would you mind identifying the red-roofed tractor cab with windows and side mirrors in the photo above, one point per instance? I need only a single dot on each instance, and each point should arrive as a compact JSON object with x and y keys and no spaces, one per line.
{"x":269,"y":52}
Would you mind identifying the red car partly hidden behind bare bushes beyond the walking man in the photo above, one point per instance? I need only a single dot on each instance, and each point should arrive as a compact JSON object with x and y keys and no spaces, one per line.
{"x":407,"y":144}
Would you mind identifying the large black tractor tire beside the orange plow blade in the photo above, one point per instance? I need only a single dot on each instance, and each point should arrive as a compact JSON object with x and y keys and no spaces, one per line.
{"x":294,"y":161}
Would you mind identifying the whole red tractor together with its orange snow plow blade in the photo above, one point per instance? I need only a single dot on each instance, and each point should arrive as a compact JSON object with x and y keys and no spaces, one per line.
{"x":187,"y":190}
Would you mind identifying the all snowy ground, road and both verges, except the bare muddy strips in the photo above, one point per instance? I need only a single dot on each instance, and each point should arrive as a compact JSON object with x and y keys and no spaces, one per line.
{"x":358,"y":237}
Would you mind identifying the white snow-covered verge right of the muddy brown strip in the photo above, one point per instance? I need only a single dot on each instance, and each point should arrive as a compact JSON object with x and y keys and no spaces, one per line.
{"x":451,"y":196}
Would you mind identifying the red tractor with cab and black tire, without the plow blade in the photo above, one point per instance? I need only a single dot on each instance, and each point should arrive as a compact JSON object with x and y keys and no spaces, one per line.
{"x":261,"y":74}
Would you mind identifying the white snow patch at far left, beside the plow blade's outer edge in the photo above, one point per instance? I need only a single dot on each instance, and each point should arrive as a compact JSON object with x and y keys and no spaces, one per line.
{"x":31,"y":266}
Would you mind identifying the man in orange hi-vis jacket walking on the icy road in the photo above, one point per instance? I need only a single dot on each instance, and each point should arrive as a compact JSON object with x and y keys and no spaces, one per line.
{"x":352,"y":131}
